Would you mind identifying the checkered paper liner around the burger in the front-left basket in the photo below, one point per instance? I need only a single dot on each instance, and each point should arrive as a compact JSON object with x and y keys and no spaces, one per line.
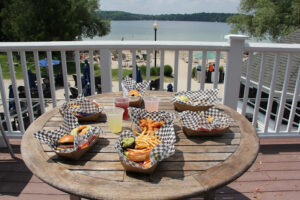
{"x":51,"y":138}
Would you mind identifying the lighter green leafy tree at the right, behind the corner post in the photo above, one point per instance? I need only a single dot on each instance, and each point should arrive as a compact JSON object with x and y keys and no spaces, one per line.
{"x":266,"y":19}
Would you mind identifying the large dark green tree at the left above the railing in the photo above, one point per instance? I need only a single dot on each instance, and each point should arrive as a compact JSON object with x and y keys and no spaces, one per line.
{"x":55,"y":20}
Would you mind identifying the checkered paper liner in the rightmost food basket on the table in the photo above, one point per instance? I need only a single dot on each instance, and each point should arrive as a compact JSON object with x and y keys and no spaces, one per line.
{"x":198,"y":120}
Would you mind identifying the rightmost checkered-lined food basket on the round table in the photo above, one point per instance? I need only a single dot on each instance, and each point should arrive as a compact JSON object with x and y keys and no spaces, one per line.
{"x":213,"y":122}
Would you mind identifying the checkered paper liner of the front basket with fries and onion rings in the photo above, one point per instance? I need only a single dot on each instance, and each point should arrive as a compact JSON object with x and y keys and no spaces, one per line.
{"x":161,"y":151}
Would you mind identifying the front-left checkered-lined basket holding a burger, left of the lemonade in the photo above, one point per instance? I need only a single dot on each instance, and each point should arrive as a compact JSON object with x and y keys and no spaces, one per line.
{"x":70,"y":140}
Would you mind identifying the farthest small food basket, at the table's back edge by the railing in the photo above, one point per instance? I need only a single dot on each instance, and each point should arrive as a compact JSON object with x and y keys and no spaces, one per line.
{"x":134,"y":90}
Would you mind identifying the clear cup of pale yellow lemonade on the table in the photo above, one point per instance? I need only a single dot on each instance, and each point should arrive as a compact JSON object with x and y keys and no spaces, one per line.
{"x":114,"y":119}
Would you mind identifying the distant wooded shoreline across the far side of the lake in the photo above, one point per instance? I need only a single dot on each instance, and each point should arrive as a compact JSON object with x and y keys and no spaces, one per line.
{"x":208,"y":17}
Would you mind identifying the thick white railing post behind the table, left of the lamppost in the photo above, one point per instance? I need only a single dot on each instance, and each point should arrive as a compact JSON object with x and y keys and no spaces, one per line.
{"x":105,"y":67}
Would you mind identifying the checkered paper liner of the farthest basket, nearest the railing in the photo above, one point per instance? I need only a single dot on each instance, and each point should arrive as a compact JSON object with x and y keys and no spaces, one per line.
{"x":130,"y":84}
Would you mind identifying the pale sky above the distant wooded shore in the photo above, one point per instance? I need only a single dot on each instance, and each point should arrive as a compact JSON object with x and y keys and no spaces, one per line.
{"x":171,"y":6}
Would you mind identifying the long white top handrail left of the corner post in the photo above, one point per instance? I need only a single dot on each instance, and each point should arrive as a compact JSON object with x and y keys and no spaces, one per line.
{"x":96,"y":45}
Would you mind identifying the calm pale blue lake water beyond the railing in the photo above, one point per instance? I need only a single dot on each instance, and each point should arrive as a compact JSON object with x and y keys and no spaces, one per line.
{"x":167,"y":30}
